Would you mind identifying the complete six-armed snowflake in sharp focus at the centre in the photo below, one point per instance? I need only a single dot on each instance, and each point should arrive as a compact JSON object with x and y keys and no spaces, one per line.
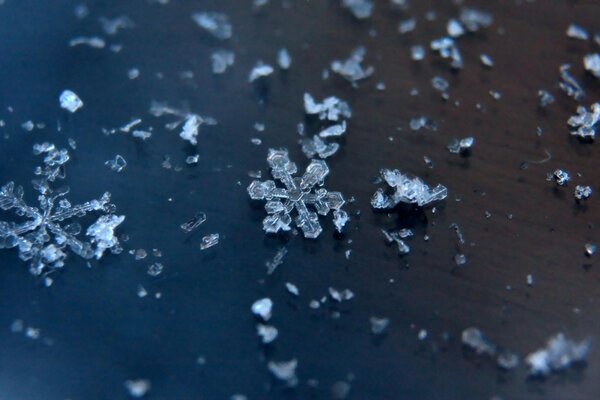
{"x":299,"y":193}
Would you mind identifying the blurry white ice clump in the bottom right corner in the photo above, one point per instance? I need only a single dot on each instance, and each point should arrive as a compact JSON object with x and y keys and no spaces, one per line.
{"x":559,"y":354}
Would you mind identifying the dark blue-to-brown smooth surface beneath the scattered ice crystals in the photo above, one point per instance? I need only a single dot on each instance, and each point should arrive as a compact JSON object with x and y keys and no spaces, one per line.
{"x":102,"y":334}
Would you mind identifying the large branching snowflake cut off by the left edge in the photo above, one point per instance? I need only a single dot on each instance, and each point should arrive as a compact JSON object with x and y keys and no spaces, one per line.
{"x":42,"y":239}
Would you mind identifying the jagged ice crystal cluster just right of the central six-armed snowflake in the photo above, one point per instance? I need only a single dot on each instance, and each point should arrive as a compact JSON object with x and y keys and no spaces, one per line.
{"x":407,"y":189}
